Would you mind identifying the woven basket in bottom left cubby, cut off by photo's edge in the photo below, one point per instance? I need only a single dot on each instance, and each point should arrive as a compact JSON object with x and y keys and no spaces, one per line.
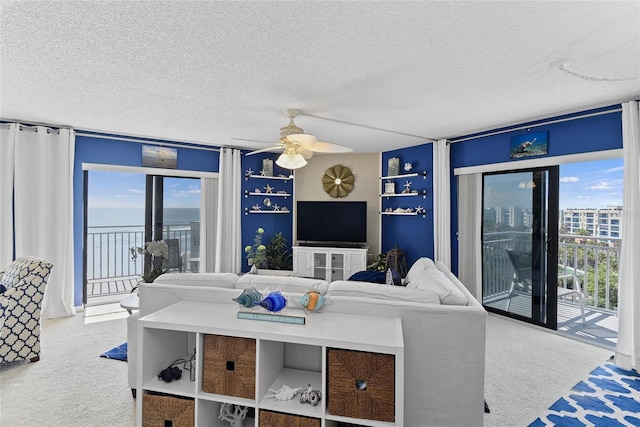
{"x":158,"y":409}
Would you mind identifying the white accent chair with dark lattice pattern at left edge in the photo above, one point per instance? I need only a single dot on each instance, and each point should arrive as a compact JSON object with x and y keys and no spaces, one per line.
{"x":20,"y":304}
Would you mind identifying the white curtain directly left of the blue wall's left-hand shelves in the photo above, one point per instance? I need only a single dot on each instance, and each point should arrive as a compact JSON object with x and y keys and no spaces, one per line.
{"x":228,"y":246}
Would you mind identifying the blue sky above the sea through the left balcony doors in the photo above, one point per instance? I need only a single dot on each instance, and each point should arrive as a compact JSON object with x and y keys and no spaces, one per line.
{"x":126,"y":190}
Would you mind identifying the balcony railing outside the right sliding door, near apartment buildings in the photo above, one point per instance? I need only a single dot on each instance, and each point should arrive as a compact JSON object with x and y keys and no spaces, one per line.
{"x":593,"y":259}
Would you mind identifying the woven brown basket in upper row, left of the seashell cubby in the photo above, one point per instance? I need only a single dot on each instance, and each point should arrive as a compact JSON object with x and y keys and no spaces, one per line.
{"x":229,"y":366}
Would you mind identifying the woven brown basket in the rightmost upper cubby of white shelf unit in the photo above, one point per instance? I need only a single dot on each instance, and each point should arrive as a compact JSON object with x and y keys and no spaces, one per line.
{"x":346,"y":370}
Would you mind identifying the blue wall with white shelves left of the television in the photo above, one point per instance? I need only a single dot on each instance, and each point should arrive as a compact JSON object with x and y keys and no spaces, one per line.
{"x":271,"y":223}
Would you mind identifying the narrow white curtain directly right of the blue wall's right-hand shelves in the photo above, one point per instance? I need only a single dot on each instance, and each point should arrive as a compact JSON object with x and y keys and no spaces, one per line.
{"x":442,"y":202}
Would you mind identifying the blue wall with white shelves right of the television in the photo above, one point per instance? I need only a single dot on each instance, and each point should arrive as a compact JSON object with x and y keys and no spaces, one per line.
{"x":411,"y":234}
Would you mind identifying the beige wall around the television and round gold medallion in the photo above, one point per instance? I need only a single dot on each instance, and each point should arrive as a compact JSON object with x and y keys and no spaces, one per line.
{"x":366,"y":169}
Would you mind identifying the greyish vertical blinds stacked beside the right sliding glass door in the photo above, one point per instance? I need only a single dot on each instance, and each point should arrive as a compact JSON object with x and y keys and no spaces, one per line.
{"x":469,"y":232}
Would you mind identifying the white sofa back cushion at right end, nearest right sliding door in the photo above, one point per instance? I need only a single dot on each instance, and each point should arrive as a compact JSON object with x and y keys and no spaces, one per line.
{"x":425,"y":275}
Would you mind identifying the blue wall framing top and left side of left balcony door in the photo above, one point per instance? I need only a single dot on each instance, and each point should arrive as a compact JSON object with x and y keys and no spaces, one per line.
{"x":94,"y":149}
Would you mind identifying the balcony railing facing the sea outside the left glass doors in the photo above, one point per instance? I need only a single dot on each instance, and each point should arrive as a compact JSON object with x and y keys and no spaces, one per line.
{"x":109,"y":256}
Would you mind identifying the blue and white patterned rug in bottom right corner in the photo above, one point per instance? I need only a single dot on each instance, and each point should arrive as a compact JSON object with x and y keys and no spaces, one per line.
{"x":609,"y":397}
